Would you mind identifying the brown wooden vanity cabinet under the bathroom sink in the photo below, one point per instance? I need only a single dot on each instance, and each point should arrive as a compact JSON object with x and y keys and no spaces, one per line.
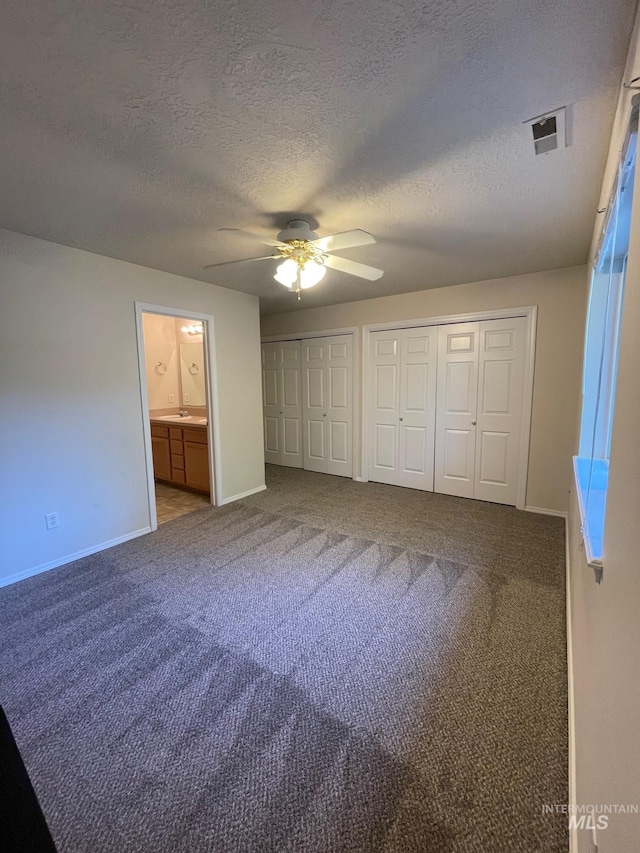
{"x":181,"y":456}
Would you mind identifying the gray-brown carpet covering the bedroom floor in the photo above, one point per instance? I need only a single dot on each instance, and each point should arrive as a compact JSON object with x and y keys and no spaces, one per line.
{"x":328,"y":666}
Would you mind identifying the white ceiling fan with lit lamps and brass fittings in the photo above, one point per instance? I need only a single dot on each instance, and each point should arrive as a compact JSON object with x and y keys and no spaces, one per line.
{"x":305,"y":257}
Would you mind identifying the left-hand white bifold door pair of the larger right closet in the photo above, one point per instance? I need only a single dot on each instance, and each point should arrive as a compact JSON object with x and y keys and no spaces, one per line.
{"x":401,"y":407}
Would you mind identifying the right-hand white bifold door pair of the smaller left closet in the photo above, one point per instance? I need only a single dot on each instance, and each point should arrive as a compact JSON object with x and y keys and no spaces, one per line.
{"x":327,"y":404}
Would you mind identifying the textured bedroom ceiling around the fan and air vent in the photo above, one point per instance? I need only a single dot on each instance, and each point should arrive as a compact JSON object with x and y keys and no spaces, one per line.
{"x":137,"y":128}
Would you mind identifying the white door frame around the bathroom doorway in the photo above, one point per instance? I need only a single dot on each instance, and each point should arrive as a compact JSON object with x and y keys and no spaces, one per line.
{"x":211,"y":390}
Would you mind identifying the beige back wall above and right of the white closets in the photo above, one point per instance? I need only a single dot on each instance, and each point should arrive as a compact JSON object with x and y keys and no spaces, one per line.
{"x":561,"y":299}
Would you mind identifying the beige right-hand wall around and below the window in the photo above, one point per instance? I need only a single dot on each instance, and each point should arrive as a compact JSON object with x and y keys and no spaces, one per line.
{"x":605,"y":617}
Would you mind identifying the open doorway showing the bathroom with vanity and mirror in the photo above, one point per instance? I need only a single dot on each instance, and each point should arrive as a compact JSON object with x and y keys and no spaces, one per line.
{"x":176,"y":396}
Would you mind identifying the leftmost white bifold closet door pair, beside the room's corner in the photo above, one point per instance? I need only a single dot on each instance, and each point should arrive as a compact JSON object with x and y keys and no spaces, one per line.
{"x":282,"y":401}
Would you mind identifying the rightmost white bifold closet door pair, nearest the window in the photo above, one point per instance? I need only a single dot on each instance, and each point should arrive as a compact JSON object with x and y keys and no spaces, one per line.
{"x":479,"y":409}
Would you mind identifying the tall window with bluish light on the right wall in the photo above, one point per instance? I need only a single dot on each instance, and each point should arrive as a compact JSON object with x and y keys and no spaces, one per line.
{"x":591,"y":466}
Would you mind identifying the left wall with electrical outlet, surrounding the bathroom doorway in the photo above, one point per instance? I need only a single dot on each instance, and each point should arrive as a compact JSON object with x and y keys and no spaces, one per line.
{"x":71,"y":432}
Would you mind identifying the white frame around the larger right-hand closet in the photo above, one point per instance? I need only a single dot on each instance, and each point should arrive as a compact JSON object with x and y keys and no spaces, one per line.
{"x":529,"y":312}
